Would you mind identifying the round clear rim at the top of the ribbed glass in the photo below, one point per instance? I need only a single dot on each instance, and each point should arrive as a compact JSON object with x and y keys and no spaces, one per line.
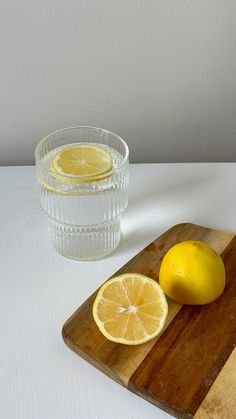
{"x":82,"y":177}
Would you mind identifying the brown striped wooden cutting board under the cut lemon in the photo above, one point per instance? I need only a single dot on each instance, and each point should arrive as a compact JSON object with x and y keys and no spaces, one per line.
{"x":188,"y":371}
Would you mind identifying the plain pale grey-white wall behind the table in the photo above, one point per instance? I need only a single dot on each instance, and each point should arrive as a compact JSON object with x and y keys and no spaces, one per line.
{"x":161,"y":73}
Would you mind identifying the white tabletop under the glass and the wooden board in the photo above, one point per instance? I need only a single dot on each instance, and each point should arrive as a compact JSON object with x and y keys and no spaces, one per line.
{"x":39,"y":376}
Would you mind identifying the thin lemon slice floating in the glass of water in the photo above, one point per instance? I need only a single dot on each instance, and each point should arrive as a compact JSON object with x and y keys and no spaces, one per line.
{"x":84,"y":160}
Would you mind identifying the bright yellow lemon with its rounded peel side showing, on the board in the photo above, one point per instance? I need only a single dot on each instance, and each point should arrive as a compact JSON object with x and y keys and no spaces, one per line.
{"x":192,"y":273}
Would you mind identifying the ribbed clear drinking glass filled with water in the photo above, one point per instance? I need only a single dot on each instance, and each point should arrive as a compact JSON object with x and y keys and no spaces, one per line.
{"x":84,"y":213}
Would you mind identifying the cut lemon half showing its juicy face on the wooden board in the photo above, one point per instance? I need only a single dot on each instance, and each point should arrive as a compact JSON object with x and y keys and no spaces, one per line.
{"x":130,"y":309}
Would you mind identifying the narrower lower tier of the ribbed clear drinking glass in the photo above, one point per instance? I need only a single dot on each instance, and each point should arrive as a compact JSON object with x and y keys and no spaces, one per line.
{"x":85,"y":242}
